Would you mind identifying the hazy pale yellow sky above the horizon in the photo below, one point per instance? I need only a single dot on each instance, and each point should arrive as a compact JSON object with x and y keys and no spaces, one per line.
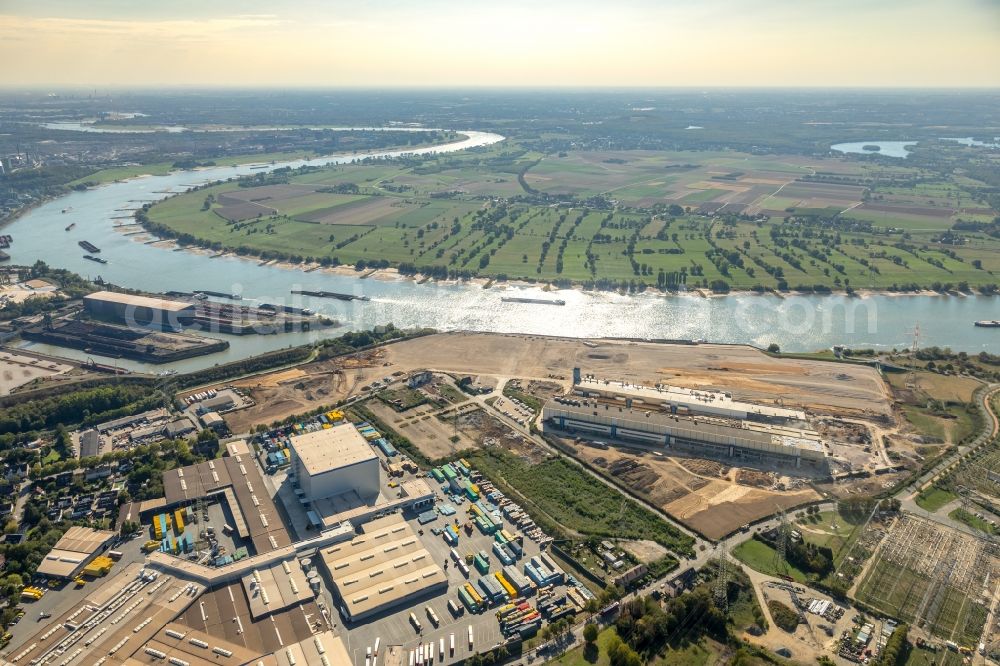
{"x":332,"y":43}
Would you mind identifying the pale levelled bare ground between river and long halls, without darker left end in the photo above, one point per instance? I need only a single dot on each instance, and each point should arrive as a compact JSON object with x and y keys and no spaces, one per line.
{"x":746,"y":372}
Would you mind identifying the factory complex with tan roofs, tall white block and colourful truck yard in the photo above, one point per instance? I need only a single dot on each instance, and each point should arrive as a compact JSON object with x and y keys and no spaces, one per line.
{"x":256,"y":593}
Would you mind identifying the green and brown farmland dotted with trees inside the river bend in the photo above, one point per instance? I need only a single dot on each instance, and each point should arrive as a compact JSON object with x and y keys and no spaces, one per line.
{"x":716,"y":220}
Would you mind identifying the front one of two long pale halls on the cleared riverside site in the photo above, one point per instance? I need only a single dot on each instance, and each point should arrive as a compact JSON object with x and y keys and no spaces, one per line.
{"x":751,"y":443}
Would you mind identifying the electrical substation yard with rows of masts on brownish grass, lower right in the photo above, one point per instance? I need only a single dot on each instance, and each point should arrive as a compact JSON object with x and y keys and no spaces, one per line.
{"x":941,"y":580}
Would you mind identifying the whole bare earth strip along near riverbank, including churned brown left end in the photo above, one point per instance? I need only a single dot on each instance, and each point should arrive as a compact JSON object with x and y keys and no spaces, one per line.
{"x":746,"y":372}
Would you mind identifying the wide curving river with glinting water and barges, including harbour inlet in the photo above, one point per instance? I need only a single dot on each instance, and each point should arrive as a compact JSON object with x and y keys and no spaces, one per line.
{"x":796,"y":323}
